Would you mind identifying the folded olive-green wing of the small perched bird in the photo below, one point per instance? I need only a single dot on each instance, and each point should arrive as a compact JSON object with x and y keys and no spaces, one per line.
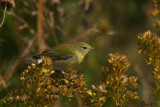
{"x":60,"y":52}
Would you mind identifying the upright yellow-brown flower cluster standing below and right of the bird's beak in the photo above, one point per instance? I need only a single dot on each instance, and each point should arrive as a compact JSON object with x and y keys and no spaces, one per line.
{"x":116,"y":82}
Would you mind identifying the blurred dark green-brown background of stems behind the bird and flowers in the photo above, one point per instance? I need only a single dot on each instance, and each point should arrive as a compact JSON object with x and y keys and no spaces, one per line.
{"x":111,"y":26}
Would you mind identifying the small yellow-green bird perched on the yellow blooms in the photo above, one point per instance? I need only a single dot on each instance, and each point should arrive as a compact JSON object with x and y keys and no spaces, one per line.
{"x":66,"y":55}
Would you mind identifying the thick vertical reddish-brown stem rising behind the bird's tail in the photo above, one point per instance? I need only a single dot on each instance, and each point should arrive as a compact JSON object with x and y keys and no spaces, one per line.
{"x":40,"y":20}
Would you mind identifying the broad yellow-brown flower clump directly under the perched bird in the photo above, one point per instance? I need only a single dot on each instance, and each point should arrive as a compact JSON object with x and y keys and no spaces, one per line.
{"x":42,"y":86}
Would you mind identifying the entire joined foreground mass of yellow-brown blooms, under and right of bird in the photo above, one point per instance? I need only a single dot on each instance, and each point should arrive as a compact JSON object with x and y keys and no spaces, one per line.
{"x":42,"y":86}
